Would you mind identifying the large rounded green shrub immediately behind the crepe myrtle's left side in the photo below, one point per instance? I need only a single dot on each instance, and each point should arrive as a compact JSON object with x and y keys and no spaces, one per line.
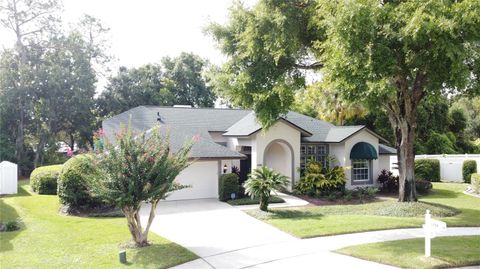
{"x":75,"y":180}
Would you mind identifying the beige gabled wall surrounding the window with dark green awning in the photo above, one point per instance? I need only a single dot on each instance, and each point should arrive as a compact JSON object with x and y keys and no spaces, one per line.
{"x":362,"y":136}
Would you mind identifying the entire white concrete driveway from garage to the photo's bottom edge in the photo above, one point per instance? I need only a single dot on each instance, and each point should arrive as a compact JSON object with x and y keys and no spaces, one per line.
{"x":225,"y":237}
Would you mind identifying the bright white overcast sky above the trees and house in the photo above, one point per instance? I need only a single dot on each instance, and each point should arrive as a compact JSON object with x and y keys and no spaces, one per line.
{"x":145,"y":31}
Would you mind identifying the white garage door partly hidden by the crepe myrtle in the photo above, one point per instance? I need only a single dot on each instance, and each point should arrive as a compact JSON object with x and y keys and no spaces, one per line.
{"x":202,"y":176}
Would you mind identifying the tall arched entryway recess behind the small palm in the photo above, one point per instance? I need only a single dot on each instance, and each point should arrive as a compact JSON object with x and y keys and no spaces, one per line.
{"x":278,"y":155}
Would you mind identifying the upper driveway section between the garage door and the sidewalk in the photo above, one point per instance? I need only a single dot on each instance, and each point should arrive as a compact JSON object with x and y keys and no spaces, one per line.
{"x":208,"y":227}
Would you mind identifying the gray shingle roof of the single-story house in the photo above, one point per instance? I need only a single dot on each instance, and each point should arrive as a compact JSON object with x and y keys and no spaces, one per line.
{"x":184,"y":123}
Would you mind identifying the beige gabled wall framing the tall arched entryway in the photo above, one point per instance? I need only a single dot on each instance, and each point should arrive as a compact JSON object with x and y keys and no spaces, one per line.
{"x":278,"y":132}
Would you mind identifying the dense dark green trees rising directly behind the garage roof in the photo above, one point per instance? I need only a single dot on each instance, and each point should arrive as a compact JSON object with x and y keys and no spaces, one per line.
{"x":176,"y":81}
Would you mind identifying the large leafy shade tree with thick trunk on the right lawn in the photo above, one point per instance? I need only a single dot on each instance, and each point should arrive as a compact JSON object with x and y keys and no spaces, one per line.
{"x":399,"y":52}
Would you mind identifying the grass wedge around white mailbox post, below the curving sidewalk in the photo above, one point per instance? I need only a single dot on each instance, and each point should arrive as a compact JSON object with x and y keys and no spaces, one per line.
{"x":446,"y":252}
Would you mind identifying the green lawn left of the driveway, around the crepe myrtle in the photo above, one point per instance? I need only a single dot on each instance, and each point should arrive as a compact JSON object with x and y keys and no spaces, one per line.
{"x":49,"y":240}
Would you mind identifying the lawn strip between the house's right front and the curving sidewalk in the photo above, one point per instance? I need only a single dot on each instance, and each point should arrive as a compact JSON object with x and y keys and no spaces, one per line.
{"x":447,"y":202}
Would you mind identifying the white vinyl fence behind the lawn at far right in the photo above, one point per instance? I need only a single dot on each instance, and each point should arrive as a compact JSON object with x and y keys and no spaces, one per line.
{"x":450,"y":164}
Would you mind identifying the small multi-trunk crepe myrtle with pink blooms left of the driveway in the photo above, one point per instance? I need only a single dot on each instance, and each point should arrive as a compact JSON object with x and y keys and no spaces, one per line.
{"x":140,"y":168}
